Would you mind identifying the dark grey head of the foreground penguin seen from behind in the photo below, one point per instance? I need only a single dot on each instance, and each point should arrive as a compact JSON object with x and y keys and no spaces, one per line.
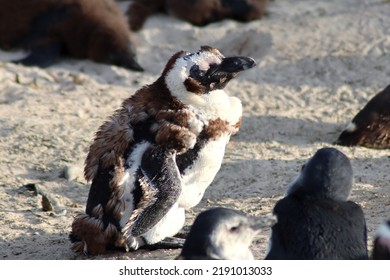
{"x":328,"y":174}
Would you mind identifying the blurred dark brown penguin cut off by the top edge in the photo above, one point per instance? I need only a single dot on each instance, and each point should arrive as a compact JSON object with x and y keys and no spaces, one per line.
{"x":198,"y":12}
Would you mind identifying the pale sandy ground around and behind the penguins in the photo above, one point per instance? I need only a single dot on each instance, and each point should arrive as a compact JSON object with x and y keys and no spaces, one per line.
{"x":319,"y":62}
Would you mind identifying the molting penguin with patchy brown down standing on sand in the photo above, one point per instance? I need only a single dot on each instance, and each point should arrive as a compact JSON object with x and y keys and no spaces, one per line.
{"x":157,"y":154}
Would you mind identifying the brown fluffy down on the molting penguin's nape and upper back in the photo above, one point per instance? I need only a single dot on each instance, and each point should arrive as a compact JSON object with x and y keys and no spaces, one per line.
{"x":114,"y":136}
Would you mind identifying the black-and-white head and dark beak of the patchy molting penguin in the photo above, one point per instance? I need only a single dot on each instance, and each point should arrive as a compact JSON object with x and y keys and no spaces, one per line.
{"x":203,"y":71}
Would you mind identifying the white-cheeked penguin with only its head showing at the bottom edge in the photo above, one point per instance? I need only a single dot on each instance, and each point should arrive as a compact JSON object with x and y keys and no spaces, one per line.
{"x":222,"y":234}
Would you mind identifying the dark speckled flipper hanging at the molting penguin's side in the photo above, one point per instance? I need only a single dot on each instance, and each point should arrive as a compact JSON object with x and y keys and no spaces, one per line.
{"x":158,"y":164}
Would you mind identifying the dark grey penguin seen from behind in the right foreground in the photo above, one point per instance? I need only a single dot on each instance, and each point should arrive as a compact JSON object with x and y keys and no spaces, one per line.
{"x":315,"y":219}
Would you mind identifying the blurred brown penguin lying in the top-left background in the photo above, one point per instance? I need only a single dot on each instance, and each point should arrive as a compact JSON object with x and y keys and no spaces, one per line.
{"x":83,"y":29}
